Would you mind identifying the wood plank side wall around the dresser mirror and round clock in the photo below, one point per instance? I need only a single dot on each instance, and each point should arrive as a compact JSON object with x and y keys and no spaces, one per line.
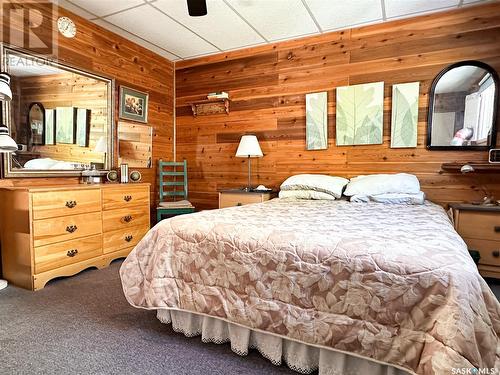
{"x":97,"y":50}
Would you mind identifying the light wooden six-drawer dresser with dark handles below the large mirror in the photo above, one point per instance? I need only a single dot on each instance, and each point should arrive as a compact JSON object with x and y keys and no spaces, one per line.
{"x":47,"y":232}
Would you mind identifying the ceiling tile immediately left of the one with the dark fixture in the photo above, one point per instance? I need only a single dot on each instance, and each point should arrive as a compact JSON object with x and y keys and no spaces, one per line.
{"x":157,"y":28}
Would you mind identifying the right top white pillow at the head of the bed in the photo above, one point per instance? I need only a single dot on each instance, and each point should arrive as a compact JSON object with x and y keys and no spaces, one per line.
{"x":376,"y":184}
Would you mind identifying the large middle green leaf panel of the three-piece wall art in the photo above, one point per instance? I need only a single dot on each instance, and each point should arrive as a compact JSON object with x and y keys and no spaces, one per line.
{"x":360,"y":110}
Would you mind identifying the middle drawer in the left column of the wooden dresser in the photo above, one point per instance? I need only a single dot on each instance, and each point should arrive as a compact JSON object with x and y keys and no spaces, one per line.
{"x":66,"y":228}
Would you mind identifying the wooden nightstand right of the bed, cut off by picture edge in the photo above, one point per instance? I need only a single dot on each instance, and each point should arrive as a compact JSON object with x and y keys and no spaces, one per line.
{"x":479,"y":226}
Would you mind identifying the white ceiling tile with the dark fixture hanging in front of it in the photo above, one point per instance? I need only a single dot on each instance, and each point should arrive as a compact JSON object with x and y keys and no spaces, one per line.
{"x":221,"y":26}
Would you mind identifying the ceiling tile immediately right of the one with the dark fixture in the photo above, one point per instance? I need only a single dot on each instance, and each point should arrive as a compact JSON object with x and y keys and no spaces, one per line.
{"x":277,"y":19}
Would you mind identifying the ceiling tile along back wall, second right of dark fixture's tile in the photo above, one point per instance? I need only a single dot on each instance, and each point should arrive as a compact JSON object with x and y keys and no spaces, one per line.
{"x":338,"y":14}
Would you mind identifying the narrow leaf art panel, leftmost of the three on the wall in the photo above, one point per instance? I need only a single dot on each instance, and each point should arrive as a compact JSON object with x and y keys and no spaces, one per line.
{"x":317,"y":121}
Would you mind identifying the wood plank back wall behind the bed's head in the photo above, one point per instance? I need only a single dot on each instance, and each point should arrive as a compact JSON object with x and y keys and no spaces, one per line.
{"x":268,"y":86}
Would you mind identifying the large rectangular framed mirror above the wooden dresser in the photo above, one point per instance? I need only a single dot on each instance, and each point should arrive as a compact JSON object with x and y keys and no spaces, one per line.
{"x":60,"y":117}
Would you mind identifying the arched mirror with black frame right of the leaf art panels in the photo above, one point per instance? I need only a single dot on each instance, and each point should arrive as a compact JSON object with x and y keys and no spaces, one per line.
{"x":462,"y":108}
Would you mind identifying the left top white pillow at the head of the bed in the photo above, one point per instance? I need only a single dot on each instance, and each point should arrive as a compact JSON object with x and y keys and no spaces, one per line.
{"x":317,"y":182}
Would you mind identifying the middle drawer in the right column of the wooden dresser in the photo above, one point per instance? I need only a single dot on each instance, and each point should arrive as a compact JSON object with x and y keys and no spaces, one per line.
{"x":125,"y":218}
